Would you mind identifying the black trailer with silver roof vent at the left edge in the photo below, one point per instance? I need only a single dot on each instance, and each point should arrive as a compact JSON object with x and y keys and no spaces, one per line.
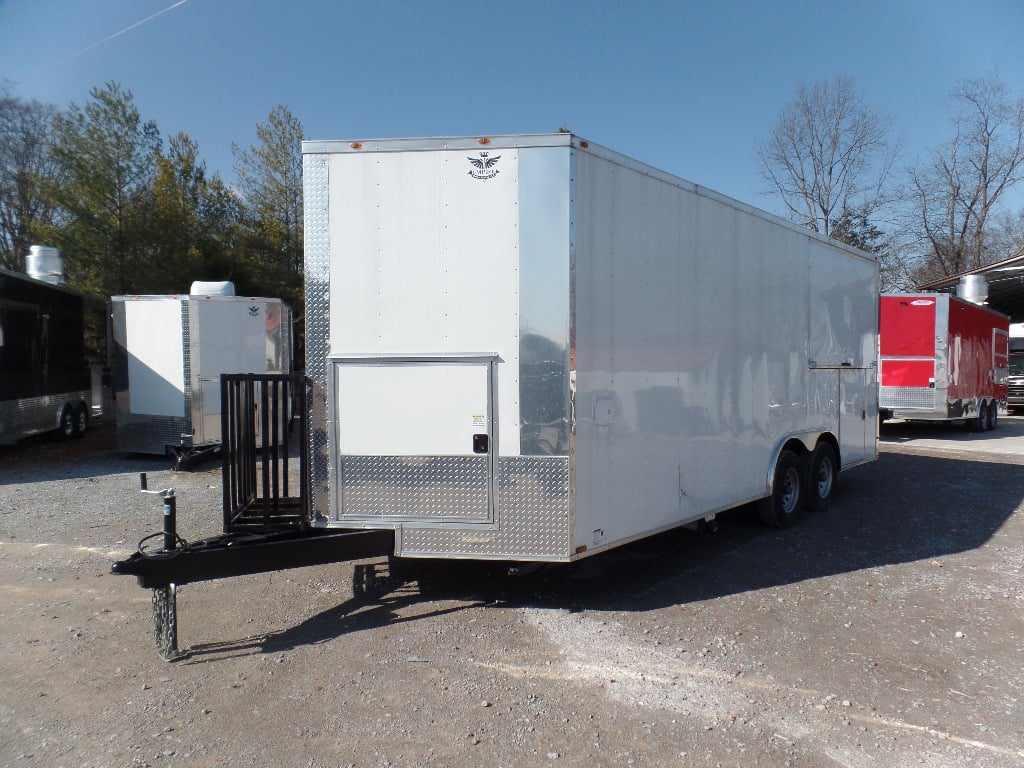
{"x":47,"y":381}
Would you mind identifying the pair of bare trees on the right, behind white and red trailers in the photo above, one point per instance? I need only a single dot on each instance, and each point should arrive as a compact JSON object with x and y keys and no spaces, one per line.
{"x":835,"y":163}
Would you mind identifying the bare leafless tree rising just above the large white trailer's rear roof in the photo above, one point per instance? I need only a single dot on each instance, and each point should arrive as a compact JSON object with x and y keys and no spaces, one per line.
{"x":829,"y":156}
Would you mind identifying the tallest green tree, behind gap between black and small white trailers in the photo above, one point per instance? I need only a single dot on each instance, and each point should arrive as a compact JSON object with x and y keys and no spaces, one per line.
{"x":108,"y":155}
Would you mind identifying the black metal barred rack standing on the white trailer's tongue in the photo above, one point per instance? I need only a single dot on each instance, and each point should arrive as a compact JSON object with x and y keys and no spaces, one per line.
{"x":265,"y":447}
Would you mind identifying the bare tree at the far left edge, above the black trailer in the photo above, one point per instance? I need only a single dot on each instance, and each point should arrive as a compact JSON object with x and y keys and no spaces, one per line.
{"x":27,"y":167}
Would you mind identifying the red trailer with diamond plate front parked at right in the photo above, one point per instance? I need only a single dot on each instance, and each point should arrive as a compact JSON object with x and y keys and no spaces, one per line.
{"x":942,"y":359}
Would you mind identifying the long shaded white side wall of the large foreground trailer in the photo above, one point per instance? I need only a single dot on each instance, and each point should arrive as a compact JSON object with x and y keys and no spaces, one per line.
{"x":706,"y":334}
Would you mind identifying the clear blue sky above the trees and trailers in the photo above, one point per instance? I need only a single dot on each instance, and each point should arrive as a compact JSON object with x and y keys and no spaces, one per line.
{"x":687,"y":87}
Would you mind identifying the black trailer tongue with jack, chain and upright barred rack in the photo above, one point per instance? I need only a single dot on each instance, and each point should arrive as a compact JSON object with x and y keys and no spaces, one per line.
{"x":266,"y":527}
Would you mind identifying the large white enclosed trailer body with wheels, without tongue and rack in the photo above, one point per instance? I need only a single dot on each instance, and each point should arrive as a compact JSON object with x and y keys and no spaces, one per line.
{"x":534,"y":349}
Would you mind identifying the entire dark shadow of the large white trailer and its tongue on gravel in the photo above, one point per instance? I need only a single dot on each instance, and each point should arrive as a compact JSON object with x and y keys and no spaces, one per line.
{"x":903,"y":508}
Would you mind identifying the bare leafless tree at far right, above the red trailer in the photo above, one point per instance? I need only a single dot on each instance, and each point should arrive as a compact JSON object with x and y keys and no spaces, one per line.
{"x":958,"y":191}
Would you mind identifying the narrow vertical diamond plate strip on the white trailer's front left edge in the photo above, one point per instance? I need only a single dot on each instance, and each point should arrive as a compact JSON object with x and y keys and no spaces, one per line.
{"x":318,"y":271}
